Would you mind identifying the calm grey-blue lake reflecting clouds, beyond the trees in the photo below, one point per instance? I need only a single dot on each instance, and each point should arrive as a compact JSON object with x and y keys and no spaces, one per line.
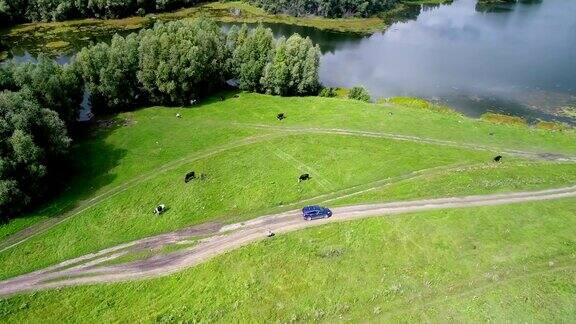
{"x":518,"y":59}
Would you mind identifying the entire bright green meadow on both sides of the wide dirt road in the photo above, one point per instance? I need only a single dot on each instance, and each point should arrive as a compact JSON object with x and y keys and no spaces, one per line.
{"x":252,"y":162}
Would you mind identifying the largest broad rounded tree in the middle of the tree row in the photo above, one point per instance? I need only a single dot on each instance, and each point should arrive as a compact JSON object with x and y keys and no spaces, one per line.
{"x":181,"y":60}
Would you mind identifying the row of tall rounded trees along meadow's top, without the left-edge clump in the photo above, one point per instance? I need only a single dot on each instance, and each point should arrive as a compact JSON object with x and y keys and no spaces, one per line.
{"x":176,"y":62}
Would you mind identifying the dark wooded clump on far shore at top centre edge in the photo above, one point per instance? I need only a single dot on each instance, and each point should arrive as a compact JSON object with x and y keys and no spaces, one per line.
{"x":326,"y":8}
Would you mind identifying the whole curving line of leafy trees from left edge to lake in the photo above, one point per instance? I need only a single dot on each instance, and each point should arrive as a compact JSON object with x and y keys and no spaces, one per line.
{"x":170,"y":64}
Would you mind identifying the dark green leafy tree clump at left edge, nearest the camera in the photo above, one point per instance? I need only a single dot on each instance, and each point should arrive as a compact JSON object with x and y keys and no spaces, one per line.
{"x":31,"y":138}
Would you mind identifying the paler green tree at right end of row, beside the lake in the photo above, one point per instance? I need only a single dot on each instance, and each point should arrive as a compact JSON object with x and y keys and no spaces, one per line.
{"x":294,"y":68}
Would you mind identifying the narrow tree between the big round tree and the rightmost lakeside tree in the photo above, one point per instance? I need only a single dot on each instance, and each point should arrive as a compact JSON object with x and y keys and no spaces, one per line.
{"x":251,"y":56}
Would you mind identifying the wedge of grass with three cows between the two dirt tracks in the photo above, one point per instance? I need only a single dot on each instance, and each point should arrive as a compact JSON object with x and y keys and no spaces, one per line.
{"x":241,"y":183}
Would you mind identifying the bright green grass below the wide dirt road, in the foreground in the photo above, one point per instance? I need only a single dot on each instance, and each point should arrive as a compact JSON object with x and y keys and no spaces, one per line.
{"x":505,"y":264}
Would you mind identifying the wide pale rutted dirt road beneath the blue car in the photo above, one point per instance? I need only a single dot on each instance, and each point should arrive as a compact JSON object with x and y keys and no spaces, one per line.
{"x":219,"y":239}
